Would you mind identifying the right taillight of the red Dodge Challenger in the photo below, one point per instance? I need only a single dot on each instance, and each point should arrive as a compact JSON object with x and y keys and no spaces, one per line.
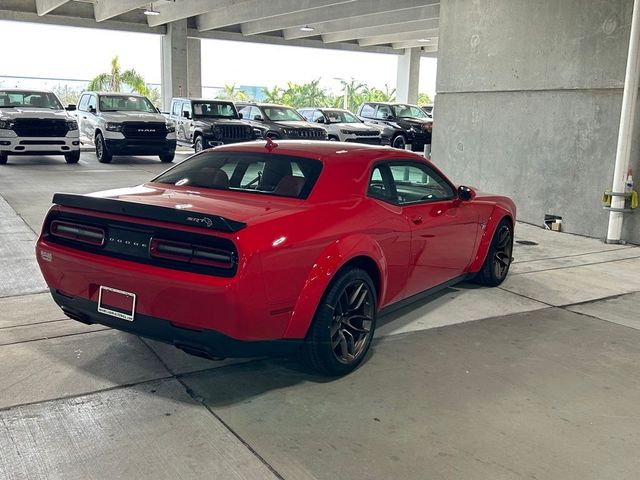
{"x":191,"y":253}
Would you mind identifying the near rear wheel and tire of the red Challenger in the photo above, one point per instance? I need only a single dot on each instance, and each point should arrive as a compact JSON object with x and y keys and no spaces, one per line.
{"x":343,"y":326}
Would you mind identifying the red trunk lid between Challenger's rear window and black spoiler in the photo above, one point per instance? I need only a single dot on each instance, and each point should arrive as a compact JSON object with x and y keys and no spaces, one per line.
{"x":242,"y":207}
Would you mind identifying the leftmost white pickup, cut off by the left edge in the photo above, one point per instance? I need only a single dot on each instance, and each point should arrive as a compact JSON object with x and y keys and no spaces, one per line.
{"x":34,"y":122}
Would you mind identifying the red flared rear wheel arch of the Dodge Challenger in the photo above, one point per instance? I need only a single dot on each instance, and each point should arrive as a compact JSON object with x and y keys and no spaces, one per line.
{"x":329,"y":262}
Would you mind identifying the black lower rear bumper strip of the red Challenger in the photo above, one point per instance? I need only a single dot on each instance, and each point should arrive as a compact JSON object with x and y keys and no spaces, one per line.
{"x":207,"y":343}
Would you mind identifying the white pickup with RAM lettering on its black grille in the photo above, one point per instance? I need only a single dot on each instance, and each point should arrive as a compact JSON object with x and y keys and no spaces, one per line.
{"x":125,"y":124}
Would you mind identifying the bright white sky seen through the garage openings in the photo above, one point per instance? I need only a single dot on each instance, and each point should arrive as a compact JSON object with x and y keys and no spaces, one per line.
{"x":80,"y":53}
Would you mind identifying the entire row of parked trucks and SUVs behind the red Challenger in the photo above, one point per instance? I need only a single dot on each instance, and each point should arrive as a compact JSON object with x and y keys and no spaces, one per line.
{"x":35,"y":122}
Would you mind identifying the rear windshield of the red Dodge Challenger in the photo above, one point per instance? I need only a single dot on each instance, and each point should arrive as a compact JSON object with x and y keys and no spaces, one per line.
{"x":254,"y":172}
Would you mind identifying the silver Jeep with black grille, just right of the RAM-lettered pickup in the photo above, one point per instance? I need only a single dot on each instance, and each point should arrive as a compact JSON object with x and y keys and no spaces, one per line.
{"x":204,"y":123}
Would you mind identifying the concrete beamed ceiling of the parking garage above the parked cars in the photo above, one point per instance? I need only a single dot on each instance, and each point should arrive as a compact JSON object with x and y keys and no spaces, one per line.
{"x":383,"y":26}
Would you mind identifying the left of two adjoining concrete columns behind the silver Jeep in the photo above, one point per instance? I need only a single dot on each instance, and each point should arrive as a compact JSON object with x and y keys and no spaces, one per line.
{"x":174,"y":62}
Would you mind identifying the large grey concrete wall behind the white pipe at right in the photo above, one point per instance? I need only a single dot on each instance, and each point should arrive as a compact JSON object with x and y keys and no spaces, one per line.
{"x":528,"y":104}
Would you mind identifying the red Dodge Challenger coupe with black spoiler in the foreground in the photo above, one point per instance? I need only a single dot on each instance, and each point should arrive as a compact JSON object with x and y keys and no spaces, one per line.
{"x":270,"y":249}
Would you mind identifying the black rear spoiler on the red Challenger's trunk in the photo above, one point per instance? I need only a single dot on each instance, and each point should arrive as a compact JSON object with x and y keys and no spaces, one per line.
{"x":151,"y":212}
